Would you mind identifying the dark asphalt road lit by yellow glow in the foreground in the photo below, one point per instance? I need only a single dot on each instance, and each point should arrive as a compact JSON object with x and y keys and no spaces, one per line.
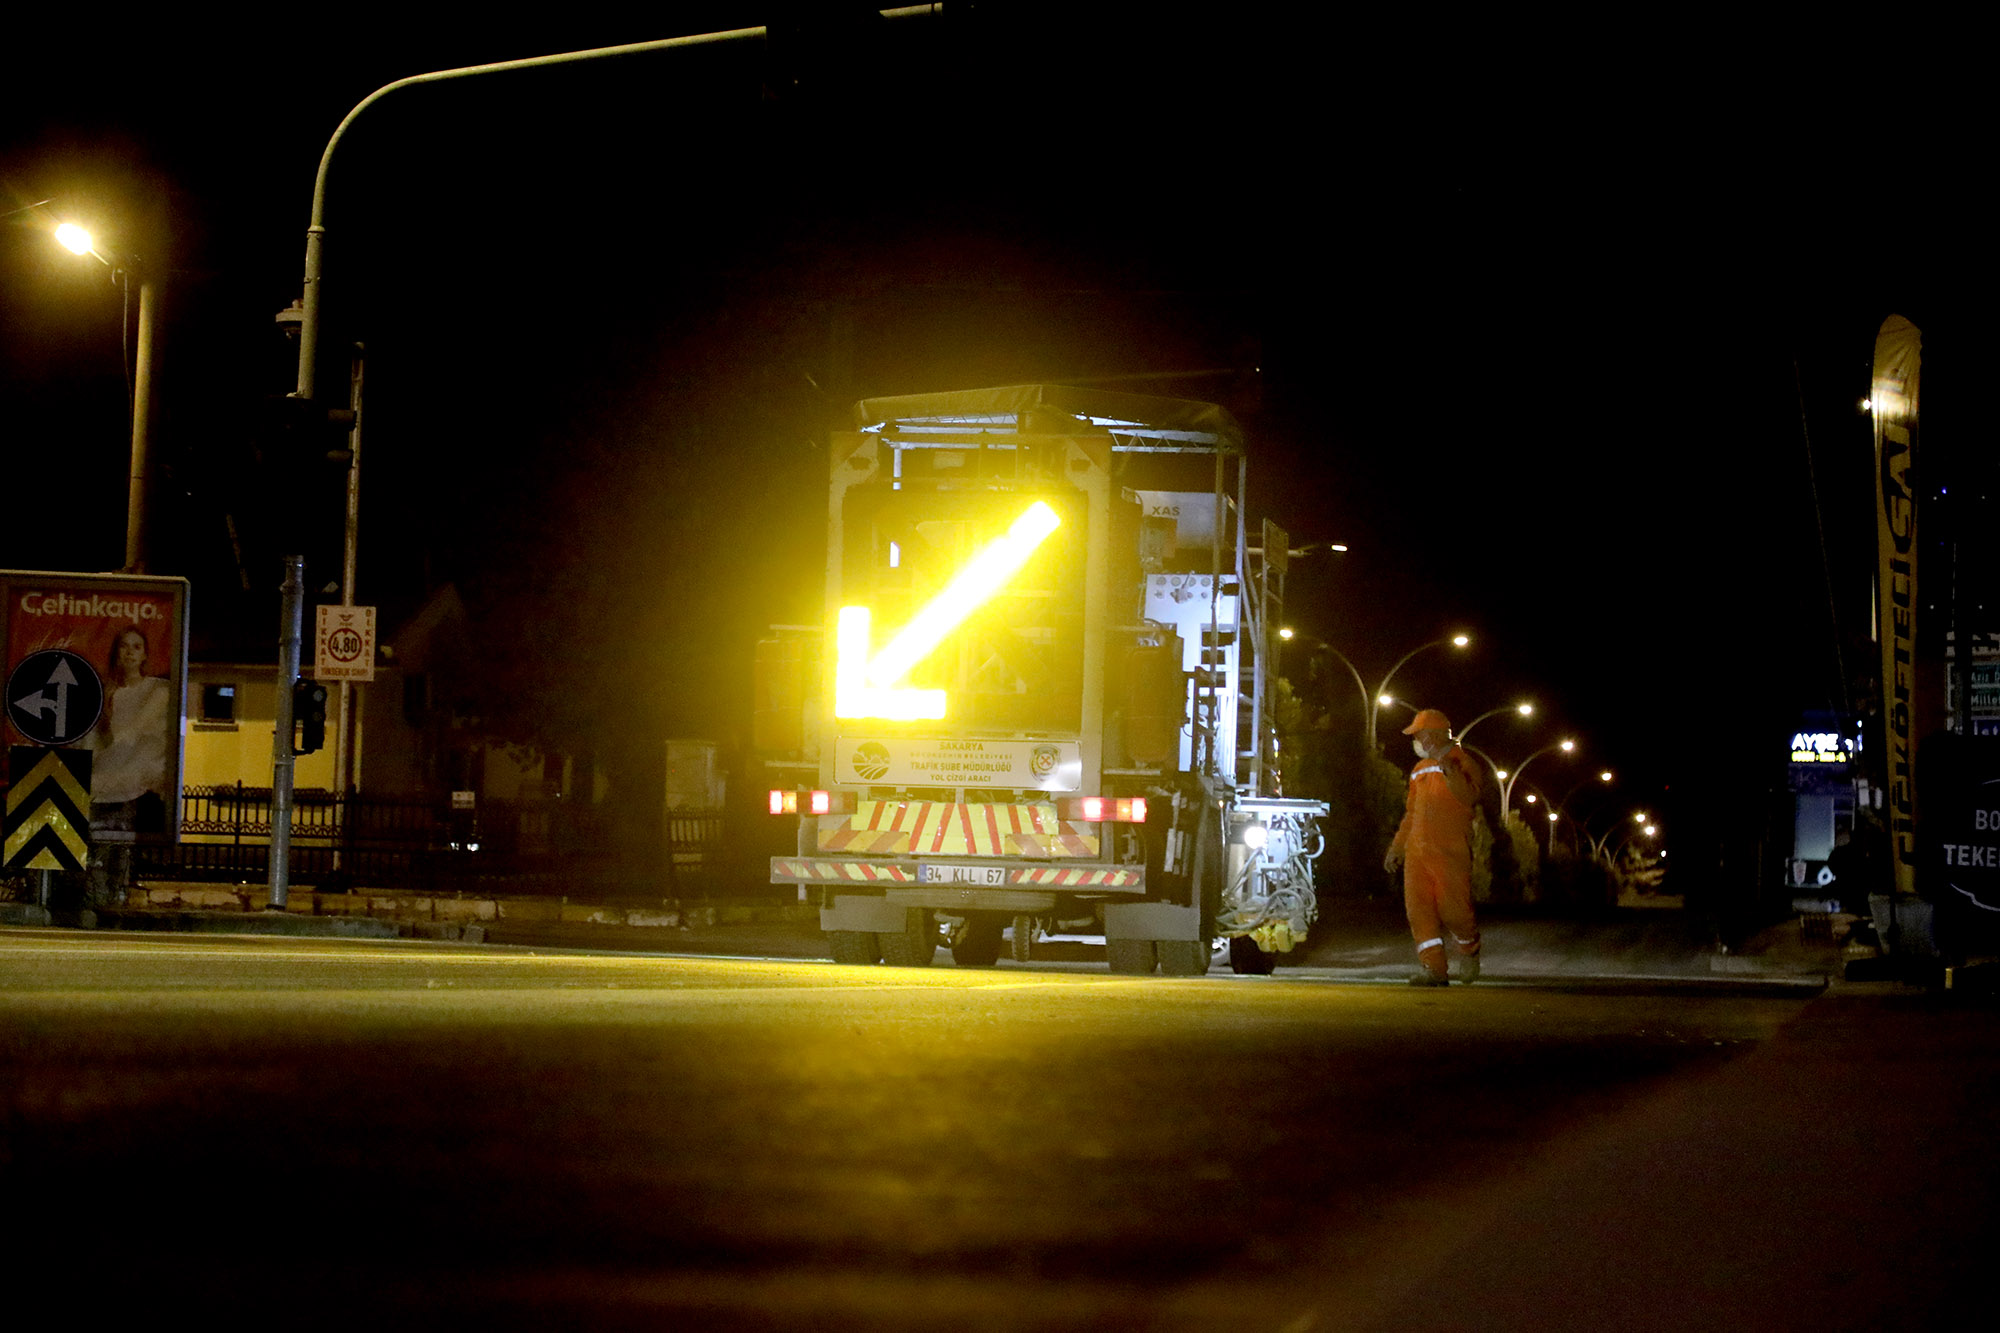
{"x":421,"y":1134}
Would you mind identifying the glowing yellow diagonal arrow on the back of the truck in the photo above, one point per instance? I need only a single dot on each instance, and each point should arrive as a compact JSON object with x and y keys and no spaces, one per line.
{"x":873,"y":690}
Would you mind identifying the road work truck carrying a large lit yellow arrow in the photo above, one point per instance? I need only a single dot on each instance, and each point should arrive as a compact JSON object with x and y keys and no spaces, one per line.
{"x":1037,"y":700}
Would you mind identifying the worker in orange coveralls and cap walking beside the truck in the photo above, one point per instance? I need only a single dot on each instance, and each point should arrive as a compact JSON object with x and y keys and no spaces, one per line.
{"x":1435,"y":852}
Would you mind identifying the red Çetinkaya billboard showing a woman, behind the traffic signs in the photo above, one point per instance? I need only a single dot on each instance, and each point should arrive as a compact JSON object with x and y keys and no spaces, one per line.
{"x":101,"y":663}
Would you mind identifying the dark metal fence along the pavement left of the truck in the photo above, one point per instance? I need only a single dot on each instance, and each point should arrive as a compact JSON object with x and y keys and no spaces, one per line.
{"x":421,"y":844}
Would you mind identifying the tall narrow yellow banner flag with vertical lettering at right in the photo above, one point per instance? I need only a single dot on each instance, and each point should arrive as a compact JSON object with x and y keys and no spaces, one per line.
{"x":1893,"y":405}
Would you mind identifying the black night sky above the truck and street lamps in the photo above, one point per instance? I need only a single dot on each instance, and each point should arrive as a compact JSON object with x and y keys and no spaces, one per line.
{"x":1537,"y":321}
